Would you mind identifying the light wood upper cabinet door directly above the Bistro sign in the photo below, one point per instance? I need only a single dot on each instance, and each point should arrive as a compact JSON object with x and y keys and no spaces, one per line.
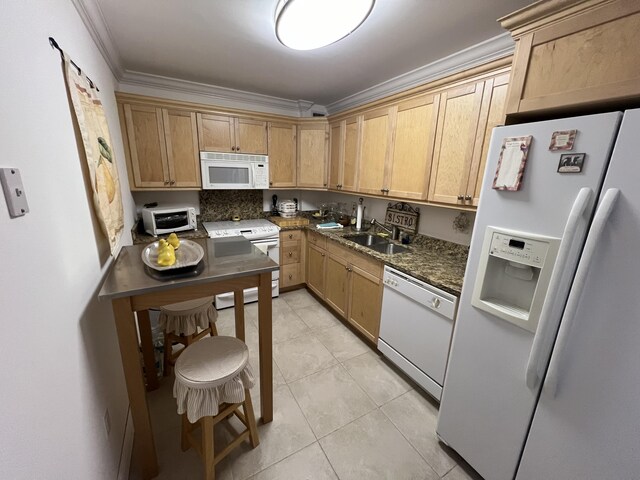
{"x":412,"y":153}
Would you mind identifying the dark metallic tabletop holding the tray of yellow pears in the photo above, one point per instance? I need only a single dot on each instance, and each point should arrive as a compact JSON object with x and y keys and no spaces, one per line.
{"x":224,"y":258}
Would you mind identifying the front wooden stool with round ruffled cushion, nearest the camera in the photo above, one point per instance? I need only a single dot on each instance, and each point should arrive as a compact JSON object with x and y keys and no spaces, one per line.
{"x":213,"y":378}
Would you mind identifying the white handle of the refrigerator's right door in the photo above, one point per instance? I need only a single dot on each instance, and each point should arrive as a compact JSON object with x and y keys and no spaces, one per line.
{"x":593,"y":241}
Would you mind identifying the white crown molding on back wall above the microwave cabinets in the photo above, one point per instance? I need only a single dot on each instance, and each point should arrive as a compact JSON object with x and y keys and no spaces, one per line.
{"x":133,"y":82}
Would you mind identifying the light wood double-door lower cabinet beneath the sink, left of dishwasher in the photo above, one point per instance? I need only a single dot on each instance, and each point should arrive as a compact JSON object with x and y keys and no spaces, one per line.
{"x":350,"y":283}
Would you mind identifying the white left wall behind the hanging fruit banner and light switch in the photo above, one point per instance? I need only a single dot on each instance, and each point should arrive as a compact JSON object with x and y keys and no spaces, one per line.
{"x":61,"y":365}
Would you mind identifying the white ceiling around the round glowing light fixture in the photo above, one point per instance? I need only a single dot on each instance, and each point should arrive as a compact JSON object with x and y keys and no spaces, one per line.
{"x":231,"y":43}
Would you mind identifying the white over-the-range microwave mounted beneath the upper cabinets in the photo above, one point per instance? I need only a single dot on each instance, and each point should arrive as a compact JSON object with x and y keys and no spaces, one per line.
{"x":234,"y":171}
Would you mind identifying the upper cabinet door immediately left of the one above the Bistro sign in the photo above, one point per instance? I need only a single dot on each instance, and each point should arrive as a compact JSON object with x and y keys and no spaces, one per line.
{"x":376,"y":139}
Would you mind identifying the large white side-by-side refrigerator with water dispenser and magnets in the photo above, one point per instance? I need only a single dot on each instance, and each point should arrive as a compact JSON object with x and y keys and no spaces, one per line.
{"x":560,"y":400}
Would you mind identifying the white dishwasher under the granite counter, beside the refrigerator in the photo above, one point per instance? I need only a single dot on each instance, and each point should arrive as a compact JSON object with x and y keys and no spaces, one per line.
{"x":415,"y":328}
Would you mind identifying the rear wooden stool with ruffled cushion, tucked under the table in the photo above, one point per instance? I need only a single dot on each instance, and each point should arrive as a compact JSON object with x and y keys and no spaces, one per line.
{"x":181,"y":322}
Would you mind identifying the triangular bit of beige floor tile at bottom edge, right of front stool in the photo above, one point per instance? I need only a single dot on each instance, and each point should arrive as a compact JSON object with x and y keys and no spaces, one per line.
{"x":310,"y":463}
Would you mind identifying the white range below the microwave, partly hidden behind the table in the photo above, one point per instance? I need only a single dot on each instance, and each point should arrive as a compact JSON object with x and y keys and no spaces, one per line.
{"x":264,"y":235}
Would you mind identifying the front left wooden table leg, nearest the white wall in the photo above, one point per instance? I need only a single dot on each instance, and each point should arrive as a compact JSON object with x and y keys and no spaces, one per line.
{"x":128,"y":341}
